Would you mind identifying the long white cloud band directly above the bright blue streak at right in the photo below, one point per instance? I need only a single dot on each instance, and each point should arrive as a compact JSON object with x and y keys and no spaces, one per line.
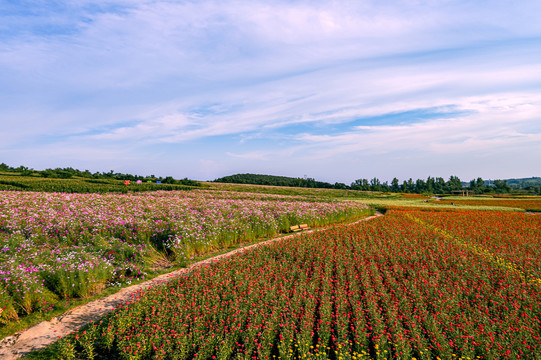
{"x":348,"y":94}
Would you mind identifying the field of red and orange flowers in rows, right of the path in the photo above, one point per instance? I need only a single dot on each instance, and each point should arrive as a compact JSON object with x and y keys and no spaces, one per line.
{"x":411,"y":285}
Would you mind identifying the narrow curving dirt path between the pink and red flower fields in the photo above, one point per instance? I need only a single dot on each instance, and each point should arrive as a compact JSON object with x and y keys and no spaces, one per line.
{"x":47,"y":332}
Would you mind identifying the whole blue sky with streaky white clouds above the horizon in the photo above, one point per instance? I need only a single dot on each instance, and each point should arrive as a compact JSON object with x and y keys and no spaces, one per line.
{"x":333,"y":90}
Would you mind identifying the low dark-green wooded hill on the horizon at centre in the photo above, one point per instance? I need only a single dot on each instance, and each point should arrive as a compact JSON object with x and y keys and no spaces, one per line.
{"x":258,"y":179}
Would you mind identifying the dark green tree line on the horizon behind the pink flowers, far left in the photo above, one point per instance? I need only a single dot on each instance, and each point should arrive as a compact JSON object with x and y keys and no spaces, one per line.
{"x":69,"y":173}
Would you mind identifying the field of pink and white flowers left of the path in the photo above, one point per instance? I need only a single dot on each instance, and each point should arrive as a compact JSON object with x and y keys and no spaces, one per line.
{"x":57,"y":246}
